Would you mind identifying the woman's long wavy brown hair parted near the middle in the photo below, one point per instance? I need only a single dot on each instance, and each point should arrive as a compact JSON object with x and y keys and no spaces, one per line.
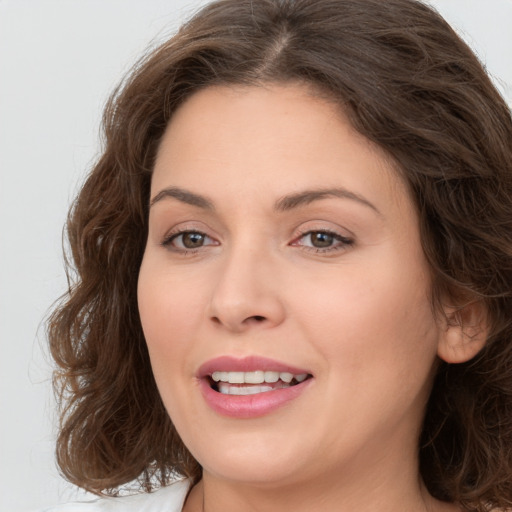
{"x":408,"y":83}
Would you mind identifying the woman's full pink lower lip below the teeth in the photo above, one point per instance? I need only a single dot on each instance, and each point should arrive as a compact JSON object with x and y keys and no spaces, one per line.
{"x":251,"y":406}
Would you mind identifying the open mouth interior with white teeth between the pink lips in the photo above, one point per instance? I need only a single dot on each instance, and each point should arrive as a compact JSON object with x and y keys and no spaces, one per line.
{"x":253,"y":382}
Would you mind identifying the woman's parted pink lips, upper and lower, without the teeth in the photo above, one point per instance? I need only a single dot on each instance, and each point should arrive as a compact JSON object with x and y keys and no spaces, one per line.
{"x":248,"y":406}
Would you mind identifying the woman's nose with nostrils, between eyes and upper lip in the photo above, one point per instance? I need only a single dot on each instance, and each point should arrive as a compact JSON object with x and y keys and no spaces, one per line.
{"x":247,"y":294}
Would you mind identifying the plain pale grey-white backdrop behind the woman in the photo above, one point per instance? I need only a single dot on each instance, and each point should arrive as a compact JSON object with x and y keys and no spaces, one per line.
{"x":59,"y":60}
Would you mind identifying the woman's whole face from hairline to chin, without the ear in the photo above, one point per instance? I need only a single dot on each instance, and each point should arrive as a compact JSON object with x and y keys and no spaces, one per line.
{"x":282,"y":241}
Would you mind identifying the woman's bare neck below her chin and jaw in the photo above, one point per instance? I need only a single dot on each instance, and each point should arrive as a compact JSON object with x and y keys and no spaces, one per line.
{"x":387,"y":491}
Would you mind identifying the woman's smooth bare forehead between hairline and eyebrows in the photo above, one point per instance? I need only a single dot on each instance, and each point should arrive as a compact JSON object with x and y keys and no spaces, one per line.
{"x":273,"y":138}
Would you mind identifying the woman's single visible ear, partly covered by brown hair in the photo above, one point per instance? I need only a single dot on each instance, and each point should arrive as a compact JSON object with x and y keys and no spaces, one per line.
{"x":465,"y":332}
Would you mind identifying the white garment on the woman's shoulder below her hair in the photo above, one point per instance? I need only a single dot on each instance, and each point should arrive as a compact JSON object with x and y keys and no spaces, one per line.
{"x":166,"y":499}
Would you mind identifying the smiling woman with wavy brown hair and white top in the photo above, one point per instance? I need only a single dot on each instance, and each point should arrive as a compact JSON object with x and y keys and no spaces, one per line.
{"x":294,"y":264}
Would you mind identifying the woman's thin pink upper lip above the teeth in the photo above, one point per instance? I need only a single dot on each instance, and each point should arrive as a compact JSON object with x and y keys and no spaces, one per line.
{"x":246,"y":364}
